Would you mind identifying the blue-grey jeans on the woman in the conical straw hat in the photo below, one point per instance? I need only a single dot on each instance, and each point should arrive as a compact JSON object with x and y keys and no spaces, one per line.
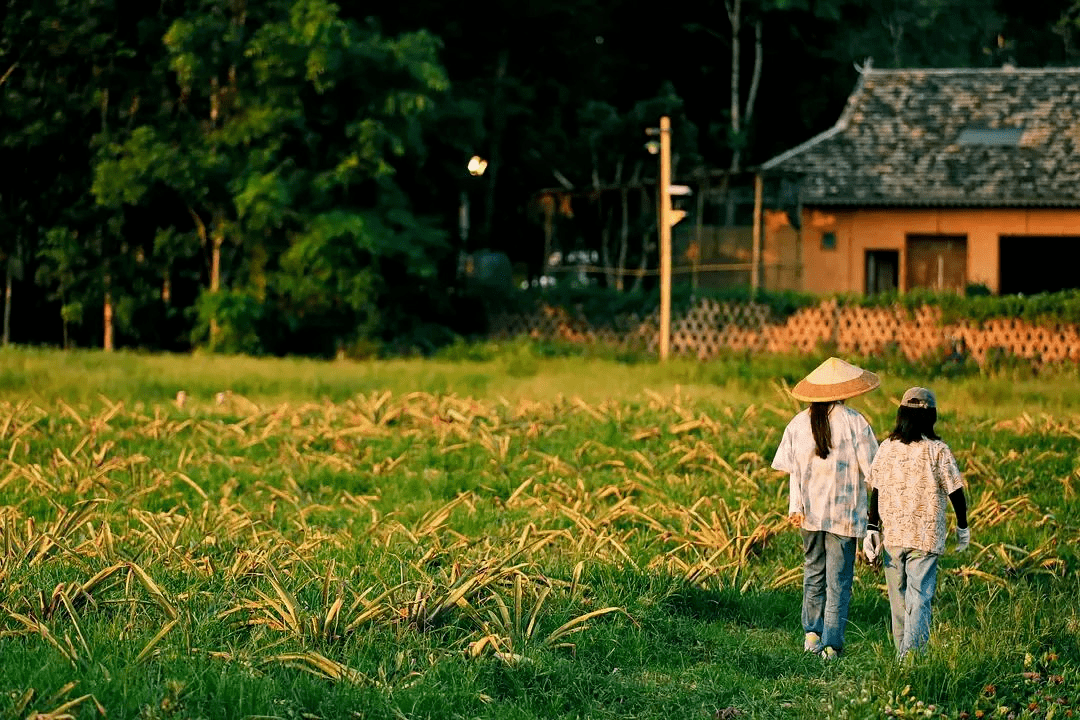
{"x":828,"y":570}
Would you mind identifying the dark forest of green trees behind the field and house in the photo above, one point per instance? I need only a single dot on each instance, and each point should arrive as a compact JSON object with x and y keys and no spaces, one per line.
{"x":290,"y":178}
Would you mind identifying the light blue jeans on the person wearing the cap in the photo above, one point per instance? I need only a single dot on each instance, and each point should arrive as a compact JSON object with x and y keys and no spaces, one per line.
{"x":912,"y":577}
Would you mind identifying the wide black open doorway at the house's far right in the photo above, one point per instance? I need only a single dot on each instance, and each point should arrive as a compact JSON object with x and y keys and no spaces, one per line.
{"x":1032,"y":265}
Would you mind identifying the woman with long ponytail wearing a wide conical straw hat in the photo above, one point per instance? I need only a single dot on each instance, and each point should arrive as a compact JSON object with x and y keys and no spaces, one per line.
{"x":828,"y":451}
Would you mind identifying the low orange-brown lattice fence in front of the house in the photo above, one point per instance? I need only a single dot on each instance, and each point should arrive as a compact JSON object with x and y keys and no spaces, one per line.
{"x":711,"y":327}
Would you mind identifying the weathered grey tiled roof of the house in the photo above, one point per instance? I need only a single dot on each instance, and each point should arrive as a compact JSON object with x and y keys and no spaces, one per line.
{"x":899,"y":141}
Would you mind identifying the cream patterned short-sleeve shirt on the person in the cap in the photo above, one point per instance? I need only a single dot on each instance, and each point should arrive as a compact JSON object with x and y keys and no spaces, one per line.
{"x":914,"y":482}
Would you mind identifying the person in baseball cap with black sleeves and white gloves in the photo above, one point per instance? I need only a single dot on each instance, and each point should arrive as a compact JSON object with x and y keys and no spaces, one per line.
{"x":913,"y":479}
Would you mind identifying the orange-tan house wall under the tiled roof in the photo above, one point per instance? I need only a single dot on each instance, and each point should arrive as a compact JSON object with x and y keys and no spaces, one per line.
{"x":843,"y":269}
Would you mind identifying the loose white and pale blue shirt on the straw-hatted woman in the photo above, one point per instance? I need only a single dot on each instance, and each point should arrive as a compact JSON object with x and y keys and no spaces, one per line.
{"x":831,"y":493}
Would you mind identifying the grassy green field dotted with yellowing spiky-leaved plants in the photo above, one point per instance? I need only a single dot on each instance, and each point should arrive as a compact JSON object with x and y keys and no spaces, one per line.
{"x":516,"y":537}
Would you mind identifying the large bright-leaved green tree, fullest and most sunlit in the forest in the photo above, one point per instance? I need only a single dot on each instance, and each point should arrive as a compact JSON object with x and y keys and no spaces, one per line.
{"x":289,"y":129}
